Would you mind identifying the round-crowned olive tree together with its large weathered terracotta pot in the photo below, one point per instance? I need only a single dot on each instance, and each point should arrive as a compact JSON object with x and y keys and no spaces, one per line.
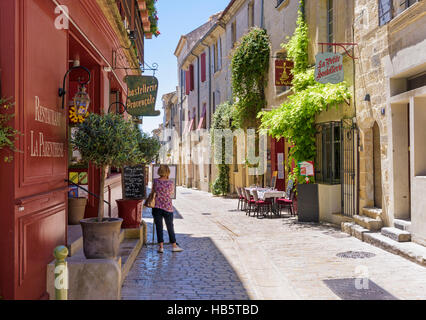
{"x":105,"y":140}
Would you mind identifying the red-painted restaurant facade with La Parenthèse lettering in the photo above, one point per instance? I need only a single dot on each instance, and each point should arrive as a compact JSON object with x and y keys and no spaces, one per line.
{"x":34,"y":57}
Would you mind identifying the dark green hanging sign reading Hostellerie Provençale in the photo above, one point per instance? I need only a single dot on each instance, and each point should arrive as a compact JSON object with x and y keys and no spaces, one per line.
{"x":142,"y":96}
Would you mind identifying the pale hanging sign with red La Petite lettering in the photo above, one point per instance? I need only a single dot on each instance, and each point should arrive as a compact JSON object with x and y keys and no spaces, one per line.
{"x":329,"y":68}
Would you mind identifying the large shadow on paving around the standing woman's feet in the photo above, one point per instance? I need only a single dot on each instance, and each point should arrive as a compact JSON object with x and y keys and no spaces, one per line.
{"x":200,"y":272}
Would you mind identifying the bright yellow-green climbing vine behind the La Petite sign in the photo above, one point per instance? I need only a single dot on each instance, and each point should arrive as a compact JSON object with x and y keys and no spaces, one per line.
{"x":295,"y":119}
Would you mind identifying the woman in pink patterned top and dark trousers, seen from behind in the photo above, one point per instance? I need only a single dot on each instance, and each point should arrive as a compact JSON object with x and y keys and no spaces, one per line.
{"x":164,"y":189}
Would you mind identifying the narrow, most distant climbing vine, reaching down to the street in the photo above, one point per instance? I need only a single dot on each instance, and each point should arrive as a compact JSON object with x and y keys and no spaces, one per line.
{"x":222,"y":120}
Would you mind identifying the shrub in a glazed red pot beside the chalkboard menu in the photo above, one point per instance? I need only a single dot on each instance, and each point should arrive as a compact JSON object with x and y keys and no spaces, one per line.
{"x":130,"y":210}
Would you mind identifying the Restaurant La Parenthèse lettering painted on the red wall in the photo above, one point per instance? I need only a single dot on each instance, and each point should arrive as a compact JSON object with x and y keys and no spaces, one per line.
{"x":40,"y":147}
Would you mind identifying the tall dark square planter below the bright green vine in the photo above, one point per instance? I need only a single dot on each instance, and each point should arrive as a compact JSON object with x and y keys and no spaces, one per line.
{"x":307,"y":202}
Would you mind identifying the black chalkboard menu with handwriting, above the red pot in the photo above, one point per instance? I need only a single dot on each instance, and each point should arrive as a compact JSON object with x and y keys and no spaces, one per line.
{"x":134,"y":183}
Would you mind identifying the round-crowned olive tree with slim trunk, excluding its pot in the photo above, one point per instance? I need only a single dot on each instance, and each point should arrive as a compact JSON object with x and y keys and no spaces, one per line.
{"x":107,"y":140}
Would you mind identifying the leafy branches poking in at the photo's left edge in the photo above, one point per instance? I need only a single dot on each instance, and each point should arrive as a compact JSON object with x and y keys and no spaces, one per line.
{"x":8,"y":134}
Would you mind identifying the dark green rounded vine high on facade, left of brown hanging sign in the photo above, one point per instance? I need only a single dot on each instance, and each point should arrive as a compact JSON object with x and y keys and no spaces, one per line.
{"x":249,"y":67}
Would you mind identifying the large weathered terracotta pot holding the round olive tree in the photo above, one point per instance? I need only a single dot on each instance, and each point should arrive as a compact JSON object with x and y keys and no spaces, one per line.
{"x":101,"y":240}
